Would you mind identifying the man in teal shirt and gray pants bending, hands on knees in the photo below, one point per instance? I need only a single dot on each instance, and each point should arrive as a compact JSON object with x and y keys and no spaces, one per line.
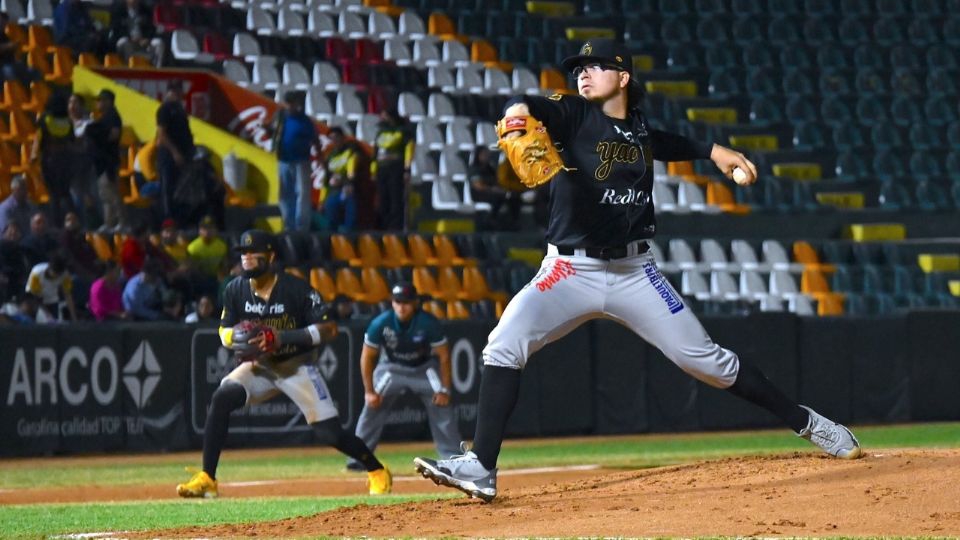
{"x":416,"y":358}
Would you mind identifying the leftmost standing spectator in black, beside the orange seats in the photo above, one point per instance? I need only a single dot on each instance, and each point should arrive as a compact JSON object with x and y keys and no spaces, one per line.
{"x":55,"y":147}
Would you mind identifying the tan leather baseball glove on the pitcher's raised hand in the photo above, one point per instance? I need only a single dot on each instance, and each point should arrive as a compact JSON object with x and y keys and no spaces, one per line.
{"x":532,"y":154}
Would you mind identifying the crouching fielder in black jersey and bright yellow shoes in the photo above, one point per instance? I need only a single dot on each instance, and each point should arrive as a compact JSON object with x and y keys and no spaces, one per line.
{"x":273,"y":322}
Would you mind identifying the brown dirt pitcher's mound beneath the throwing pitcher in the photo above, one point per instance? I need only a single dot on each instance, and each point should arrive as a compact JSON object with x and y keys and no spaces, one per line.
{"x":889,"y":493}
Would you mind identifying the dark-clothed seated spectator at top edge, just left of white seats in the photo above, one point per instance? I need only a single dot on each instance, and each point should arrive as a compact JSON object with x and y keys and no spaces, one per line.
{"x":132,"y":32}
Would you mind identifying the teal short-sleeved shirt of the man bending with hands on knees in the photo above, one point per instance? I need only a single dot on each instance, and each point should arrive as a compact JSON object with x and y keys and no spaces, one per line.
{"x":408,"y":343}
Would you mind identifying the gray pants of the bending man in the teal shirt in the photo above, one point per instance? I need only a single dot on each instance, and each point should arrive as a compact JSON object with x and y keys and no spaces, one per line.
{"x":390,"y":381}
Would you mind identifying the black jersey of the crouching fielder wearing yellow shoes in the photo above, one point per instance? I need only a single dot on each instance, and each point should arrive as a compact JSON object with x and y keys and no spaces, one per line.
{"x":292,"y":304}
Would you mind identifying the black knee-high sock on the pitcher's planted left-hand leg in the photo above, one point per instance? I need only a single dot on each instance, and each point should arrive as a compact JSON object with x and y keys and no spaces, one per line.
{"x":499,"y":387}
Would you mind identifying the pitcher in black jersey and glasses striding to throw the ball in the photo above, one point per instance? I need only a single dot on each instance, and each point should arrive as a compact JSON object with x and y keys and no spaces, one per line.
{"x":598,"y":263}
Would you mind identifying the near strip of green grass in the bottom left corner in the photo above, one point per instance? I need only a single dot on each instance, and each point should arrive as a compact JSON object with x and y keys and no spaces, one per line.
{"x":26,"y":521}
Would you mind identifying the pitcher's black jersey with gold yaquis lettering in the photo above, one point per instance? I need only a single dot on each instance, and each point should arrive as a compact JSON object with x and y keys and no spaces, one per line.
{"x":606,"y":199}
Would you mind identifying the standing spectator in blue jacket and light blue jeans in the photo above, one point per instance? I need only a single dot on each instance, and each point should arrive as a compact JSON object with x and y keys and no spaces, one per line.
{"x":294,"y":136}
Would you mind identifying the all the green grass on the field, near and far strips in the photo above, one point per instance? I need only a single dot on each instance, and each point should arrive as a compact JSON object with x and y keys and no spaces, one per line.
{"x":617,"y":452}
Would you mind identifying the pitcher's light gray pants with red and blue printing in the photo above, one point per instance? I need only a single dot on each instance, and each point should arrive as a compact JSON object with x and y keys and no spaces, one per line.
{"x":569,"y":291}
